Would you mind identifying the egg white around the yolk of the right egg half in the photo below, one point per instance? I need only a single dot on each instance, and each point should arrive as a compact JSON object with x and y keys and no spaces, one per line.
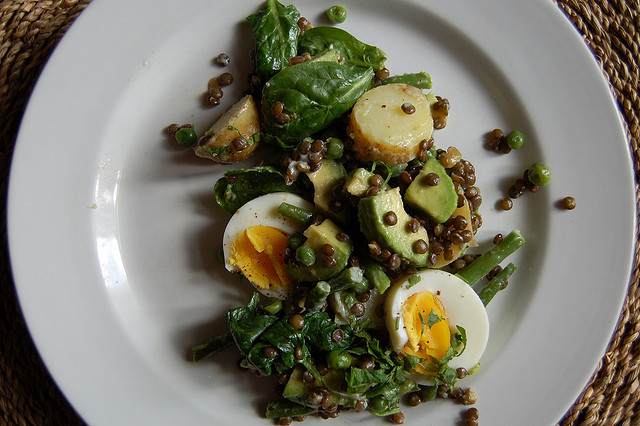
{"x":462,"y":307}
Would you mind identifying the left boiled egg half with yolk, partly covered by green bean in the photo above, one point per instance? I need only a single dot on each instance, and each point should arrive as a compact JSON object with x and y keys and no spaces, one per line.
{"x":254,"y":242}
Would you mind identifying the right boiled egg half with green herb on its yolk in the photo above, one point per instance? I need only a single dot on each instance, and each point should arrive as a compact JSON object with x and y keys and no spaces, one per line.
{"x":422,"y":313}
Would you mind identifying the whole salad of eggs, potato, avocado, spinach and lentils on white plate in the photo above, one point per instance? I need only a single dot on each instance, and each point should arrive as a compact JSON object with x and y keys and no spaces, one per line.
{"x":353,"y":228}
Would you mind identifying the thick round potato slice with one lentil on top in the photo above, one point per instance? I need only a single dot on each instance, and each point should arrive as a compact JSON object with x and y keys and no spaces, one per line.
{"x":382,"y":130}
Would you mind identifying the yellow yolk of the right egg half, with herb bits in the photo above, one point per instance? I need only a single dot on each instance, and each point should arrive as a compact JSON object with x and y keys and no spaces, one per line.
{"x":427,"y":327}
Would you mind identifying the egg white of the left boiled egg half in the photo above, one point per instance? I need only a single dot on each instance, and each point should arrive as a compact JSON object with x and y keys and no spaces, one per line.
{"x":263,"y":211}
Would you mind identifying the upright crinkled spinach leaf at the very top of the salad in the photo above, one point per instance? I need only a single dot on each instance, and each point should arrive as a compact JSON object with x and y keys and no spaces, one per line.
{"x":275,"y":30}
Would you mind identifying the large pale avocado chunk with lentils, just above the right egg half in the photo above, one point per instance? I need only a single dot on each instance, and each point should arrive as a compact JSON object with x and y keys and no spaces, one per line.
{"x":397,"y":237}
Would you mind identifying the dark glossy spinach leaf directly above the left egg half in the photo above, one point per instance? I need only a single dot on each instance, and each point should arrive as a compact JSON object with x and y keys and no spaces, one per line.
{"x":239,"y":186}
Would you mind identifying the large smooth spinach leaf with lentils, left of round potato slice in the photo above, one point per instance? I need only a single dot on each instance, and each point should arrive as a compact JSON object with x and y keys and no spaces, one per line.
{"x":314,"y":94}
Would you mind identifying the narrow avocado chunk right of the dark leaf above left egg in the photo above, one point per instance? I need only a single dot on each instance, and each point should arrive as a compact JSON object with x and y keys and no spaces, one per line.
{"x":324,"y":180}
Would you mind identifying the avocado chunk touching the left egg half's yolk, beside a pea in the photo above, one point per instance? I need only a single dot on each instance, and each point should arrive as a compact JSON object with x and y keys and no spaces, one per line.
{"x":322,"y":269}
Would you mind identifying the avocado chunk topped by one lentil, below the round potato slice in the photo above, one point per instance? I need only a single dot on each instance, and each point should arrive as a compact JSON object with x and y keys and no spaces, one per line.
{"x":439,"y":201}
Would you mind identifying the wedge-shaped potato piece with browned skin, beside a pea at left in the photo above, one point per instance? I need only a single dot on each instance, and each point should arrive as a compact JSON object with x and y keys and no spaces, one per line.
{"x":241,"y":120}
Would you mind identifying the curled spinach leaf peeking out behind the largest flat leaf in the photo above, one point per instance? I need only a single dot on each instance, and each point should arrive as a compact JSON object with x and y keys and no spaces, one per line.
{"x":319,"y":39}
